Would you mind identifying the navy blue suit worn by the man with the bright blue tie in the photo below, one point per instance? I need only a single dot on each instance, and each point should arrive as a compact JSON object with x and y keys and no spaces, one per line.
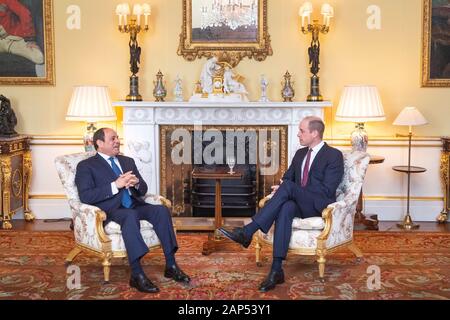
{"x":93,"y":180}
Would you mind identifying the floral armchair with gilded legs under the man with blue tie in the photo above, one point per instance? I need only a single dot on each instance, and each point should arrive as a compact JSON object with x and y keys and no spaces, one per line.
{"x":90,"y":234}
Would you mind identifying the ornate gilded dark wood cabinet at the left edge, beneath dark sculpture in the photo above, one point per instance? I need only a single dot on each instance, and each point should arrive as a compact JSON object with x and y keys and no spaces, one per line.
{"x":15,"y":178}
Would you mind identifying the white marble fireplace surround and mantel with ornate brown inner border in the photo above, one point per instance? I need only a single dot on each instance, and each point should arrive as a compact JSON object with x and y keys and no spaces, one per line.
{"x":146,"y":126}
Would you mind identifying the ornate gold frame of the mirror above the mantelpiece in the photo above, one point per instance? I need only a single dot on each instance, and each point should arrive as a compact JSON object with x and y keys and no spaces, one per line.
{"x":230,"y":46}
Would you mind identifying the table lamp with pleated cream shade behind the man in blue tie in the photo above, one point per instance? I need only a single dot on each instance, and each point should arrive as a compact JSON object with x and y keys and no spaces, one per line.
{"x":90,"y":104}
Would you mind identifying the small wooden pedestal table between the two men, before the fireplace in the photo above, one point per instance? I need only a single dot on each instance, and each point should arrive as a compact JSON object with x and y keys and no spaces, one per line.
{"x":215,"y":240}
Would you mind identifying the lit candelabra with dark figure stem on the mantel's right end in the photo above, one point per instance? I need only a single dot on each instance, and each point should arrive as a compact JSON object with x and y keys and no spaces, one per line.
{"x":315,"y":28}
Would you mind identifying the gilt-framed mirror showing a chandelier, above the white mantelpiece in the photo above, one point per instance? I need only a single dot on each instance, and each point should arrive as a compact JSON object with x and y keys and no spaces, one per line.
{"x":229,"y":30}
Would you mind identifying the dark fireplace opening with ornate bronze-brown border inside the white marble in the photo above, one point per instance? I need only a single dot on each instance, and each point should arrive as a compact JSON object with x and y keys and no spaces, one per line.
{"x":260,"y":152}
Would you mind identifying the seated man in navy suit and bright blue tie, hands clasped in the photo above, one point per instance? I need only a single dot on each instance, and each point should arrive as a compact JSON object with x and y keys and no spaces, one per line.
{"x":112,"y":182}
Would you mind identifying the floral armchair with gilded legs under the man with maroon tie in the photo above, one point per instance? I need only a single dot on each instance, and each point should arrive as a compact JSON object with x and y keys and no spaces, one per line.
{"x":321,"y":235}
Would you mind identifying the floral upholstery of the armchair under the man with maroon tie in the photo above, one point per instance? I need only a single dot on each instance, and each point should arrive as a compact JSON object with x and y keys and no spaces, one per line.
{"x":306,"y":231}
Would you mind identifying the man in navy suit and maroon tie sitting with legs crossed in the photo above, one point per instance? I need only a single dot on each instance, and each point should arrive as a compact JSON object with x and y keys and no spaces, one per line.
{"x":307,"y":187}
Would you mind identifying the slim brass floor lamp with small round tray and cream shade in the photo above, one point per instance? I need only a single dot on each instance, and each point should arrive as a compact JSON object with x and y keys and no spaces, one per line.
{"x":409,"y":116}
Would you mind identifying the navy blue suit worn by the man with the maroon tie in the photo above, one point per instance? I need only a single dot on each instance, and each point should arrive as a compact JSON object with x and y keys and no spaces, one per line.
{"x":292,"y":200}
